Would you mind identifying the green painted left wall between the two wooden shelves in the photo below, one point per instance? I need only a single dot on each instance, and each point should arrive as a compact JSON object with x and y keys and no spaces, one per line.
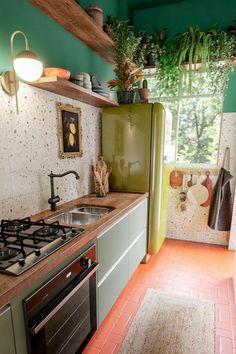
{"x":54,"y":45}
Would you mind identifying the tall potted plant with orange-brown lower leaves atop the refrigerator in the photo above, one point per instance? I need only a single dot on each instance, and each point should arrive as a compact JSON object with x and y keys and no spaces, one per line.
{"x":127,"y":72}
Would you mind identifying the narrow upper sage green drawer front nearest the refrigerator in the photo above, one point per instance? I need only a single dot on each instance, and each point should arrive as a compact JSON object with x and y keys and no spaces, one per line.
{"x":137,"y":221}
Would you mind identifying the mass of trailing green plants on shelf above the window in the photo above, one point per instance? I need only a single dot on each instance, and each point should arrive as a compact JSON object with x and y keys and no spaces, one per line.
{"x":211,"y":52}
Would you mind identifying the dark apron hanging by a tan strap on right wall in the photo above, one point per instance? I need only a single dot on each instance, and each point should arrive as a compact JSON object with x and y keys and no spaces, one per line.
{"x":220,"y":213}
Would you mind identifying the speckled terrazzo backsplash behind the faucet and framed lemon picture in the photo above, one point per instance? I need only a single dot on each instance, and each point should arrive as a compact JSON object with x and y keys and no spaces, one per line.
{"x":29,"y":151}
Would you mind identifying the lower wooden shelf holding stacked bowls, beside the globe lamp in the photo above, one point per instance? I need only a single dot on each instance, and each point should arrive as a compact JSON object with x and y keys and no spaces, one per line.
{"x":69,"y":89}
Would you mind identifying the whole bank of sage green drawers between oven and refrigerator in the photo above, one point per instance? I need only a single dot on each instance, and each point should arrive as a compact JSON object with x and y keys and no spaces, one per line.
{"x":120,"y":249}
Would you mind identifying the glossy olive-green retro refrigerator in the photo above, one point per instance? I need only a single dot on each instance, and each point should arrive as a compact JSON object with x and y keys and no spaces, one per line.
{"x":133,"y":138}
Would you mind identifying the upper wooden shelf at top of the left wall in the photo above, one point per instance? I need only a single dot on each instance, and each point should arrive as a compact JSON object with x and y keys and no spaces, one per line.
{"x":76,"y":21}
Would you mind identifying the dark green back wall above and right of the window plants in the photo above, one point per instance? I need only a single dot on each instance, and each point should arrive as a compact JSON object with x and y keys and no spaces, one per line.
{"x":177,"y":17}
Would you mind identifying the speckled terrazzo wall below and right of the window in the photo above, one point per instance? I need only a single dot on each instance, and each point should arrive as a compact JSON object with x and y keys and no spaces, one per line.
{"x":192,"y":224}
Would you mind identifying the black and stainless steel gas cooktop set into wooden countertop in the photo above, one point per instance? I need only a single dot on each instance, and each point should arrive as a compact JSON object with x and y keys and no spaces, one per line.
{"x":23,"y":243}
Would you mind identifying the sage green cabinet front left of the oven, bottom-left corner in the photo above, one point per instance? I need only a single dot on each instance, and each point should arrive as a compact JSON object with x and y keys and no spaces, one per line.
{"x":7,"y":345}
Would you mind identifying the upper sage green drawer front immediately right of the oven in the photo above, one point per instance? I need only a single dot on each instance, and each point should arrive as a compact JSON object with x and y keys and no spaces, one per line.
{"x":111,"y":245}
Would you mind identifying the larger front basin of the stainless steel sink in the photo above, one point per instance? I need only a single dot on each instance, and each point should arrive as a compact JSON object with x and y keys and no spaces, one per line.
{"x":71,"y":217}
